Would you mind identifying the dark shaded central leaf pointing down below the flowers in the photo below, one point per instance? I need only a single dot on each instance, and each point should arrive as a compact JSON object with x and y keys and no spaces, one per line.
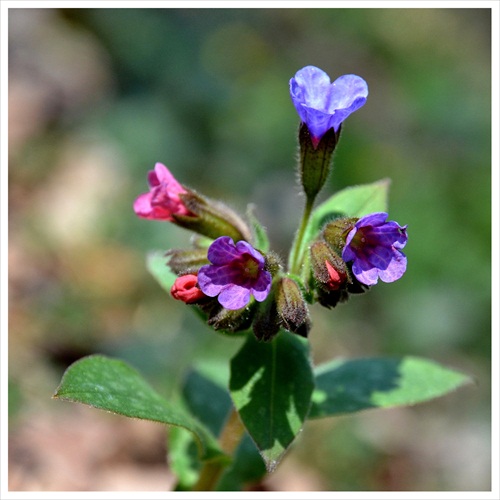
{"x":271,"y":386}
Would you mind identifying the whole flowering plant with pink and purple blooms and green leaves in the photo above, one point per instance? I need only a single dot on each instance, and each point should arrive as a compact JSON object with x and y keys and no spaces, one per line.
{"x":241,"y":288}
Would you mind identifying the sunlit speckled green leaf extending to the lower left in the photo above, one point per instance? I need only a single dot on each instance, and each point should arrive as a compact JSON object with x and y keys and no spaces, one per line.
{"x":112,"y":385}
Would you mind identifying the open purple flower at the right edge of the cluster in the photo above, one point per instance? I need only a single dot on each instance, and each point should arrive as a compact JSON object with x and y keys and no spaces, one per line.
{"x":374,"y":246}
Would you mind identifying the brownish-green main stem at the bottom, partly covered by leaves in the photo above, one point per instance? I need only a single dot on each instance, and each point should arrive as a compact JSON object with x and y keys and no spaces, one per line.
{"x":230,"y":438}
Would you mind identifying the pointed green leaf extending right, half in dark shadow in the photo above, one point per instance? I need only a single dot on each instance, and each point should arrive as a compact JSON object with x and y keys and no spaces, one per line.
{"x":359,"y":384}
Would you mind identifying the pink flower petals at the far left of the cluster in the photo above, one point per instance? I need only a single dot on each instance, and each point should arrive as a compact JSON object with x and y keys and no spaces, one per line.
{"x":163,"y":199}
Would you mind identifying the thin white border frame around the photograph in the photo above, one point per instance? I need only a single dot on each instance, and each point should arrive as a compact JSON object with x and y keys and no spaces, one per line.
{"x":494,"y":5}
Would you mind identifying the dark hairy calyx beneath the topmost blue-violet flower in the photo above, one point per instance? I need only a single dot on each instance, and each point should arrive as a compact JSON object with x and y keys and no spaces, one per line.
{"x":315,"y":159}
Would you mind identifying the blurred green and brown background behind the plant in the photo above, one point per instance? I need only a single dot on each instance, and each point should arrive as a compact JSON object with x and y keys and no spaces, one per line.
{"x":97,"y":96}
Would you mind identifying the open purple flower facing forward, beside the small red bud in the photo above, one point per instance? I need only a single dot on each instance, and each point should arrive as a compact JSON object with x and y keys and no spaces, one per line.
{"x":236,"y":272}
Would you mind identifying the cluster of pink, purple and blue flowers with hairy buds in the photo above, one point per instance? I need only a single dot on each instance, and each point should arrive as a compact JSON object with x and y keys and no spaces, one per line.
{"x":235,"y":281}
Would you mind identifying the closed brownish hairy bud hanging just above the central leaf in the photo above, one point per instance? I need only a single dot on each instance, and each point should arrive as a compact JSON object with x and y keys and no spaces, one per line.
{"x":292,"y":308}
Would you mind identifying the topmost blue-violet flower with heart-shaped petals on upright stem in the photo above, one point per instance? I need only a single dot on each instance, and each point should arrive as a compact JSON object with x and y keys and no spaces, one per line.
{"x":322,"y":105}
